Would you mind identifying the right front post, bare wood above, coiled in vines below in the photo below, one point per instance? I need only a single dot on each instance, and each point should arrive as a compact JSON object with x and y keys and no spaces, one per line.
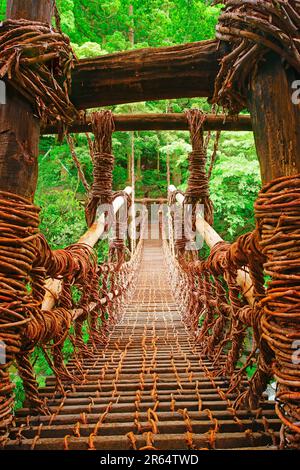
{"x":276,"y":122}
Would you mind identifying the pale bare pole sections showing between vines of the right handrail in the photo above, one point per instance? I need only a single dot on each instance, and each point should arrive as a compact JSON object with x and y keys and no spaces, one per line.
{"x":211,"y":237}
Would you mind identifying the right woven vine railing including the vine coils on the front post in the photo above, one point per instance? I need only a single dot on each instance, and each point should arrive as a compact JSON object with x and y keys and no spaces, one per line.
{"x":264,"y":333}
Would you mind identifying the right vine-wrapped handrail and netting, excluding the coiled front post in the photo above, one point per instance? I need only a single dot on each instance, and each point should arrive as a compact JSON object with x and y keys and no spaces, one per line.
{"x":219,"y":302}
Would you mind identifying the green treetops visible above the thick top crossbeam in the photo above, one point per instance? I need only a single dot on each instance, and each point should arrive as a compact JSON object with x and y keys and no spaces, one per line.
{"x":155,"y":23}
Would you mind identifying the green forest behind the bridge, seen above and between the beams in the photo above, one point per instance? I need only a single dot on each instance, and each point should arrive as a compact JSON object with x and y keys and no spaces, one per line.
{"x":98,"y":27}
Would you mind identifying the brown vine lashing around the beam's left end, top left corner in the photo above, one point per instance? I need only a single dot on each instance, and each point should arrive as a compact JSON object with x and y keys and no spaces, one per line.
{"x":38,"y":62}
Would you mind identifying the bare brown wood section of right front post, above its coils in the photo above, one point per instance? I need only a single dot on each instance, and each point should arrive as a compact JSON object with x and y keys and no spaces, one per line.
{"x":275,"y":119}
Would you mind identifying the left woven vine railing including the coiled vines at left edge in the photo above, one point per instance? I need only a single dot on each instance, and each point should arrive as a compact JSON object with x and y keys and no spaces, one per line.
{"x":91,"y":295}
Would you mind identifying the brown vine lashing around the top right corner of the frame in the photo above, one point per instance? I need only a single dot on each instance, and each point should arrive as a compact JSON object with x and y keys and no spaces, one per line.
{"x":253,"y":28}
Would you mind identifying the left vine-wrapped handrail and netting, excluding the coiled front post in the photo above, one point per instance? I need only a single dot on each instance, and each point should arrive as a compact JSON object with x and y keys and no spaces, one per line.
{"x":103,"y":289}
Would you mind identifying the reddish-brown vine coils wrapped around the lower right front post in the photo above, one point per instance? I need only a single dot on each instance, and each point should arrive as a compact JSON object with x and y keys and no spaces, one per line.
{"x":277,"y":214}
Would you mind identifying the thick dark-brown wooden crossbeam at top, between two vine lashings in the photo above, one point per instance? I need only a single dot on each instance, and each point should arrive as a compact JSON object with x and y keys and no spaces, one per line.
{"x":183,"y":71}
